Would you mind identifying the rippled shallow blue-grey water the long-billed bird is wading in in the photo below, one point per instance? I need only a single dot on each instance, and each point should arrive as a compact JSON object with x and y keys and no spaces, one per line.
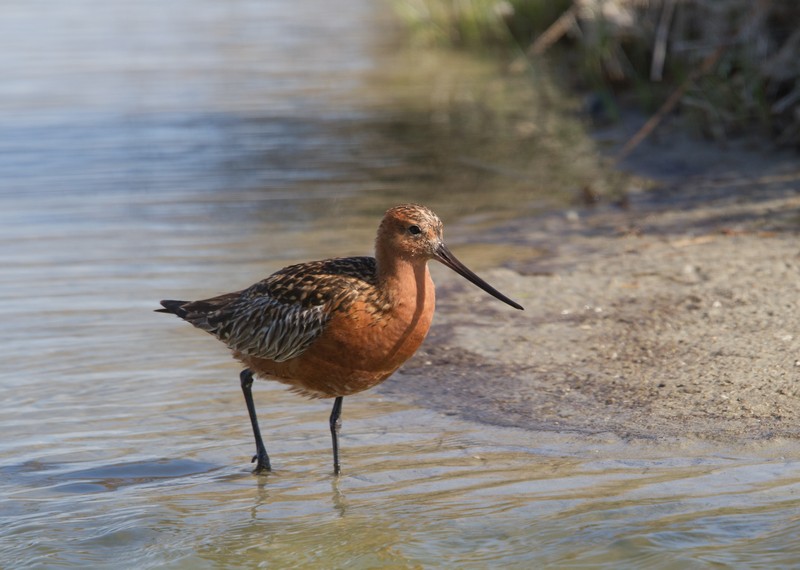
{"x":152,"y":151}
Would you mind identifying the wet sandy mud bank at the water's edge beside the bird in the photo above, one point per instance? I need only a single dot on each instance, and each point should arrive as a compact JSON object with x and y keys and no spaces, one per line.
{"x":675,"y":316}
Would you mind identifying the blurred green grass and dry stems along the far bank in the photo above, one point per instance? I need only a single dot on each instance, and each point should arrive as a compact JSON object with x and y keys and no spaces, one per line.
{"x":735,"y":64}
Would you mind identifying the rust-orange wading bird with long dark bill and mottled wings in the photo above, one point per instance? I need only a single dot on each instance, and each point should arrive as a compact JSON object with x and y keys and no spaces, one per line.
{"x":335,"y":327}
